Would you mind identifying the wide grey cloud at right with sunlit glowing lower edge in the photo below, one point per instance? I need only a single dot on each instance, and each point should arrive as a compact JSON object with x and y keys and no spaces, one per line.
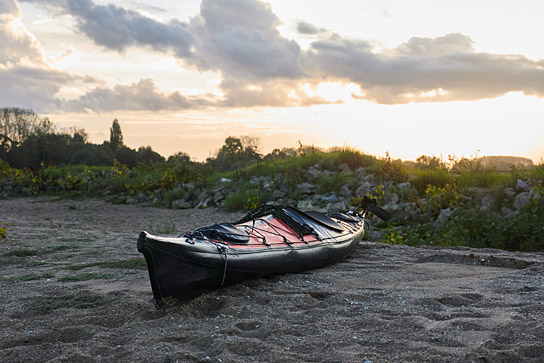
{"x":424,"y":69}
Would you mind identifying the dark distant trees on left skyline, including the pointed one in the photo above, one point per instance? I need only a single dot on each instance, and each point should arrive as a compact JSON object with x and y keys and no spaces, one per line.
{"x":28,"y":140}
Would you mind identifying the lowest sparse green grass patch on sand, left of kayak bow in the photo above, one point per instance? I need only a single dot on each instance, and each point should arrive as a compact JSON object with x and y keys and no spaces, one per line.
{"x":46,"y":304}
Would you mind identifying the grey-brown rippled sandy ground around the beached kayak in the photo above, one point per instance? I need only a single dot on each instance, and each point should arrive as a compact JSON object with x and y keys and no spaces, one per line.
{"x":74,"y":288}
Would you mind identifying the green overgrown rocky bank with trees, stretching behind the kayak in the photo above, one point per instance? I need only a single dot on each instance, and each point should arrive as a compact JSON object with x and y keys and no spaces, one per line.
{"x":458,"y":202}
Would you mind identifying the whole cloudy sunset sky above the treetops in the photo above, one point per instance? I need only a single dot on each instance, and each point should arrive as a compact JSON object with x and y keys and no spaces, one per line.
{"x":421,"y":77}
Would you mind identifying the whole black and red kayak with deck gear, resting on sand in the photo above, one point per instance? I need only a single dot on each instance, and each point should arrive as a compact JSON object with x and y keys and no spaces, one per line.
{"x":268,"y":240}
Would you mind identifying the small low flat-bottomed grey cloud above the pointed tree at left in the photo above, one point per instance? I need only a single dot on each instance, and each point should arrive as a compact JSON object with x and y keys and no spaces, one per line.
{"x":139,"y":96}
